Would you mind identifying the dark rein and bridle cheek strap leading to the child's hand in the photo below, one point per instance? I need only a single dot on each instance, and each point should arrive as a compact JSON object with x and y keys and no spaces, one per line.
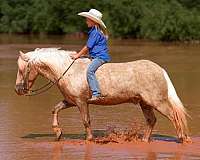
{"x":45,"y":87}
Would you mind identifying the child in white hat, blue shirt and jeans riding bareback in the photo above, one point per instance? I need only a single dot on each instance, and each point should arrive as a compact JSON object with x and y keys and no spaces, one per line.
{"x":97,"y":48}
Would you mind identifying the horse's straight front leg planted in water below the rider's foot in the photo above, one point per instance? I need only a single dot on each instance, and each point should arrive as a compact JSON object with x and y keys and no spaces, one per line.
{"x":84,"y":110}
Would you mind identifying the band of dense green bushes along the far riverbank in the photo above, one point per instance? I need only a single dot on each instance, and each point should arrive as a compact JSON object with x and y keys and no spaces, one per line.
{"x":150,"y":19}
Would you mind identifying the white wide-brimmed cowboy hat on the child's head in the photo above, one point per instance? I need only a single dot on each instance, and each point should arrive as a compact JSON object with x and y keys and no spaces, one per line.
{"x":94,"y":15}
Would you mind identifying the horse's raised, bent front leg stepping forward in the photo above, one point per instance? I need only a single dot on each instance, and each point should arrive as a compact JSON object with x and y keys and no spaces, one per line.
{"x":55,"y":124}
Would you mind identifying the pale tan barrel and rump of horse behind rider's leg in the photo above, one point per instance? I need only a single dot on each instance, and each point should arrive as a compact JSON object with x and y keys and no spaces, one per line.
{"x":124,"y":81}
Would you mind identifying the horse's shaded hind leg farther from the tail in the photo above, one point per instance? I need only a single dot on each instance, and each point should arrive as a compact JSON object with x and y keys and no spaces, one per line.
{"x":150,"y":120}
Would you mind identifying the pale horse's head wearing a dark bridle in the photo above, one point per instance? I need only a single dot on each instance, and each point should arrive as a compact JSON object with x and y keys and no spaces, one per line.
{"x":26,"y":74}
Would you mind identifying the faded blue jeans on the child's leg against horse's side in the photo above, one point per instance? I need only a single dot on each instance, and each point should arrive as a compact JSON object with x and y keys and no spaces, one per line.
{"x":91,"y":77}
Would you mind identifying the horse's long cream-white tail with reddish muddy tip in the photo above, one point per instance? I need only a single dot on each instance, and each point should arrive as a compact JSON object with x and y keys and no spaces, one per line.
{"x":177,"y":107}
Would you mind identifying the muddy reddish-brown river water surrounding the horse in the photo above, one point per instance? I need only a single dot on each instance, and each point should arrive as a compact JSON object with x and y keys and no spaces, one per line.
{"x":25,"y":123}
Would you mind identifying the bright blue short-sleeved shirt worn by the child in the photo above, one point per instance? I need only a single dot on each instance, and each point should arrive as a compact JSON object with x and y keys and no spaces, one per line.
{"x":97,"y":45}
